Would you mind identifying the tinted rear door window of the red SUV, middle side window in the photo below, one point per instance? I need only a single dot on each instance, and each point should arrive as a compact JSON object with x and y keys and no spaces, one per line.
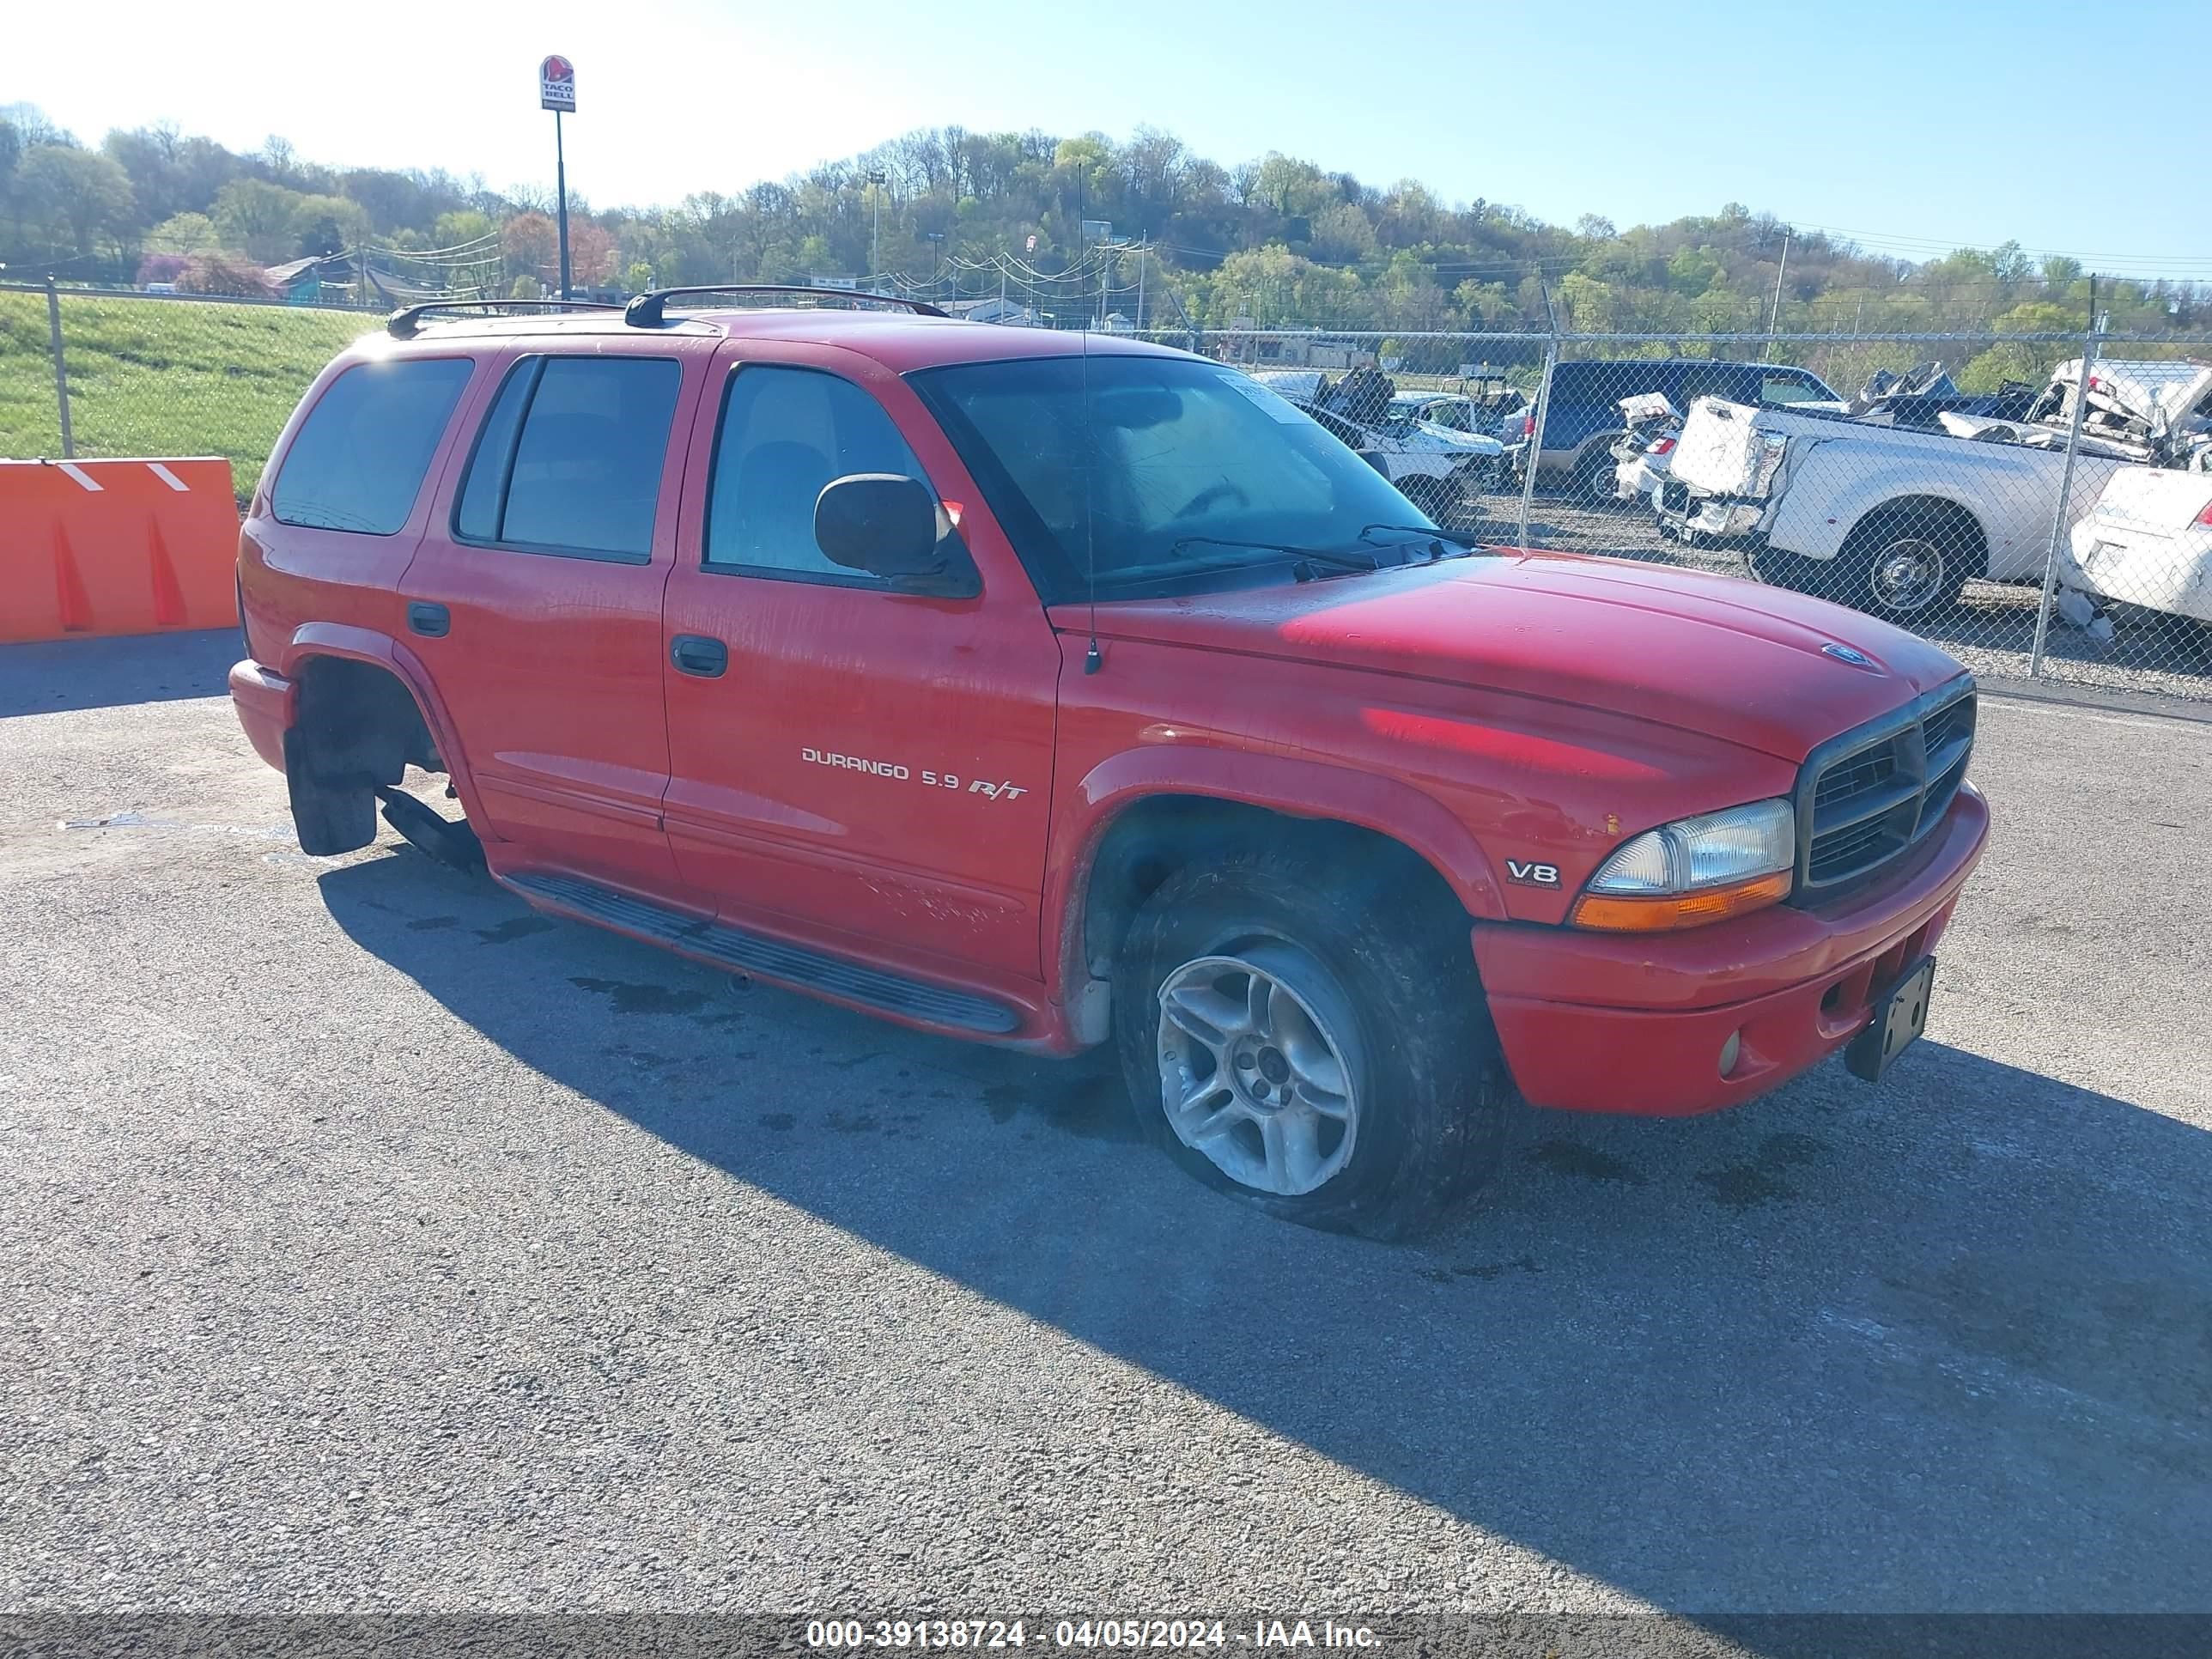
{"x":572,"y":455}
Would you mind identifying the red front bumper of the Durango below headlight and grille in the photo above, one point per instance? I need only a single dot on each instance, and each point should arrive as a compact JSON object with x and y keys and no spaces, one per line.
{"x":1607,"y":1023}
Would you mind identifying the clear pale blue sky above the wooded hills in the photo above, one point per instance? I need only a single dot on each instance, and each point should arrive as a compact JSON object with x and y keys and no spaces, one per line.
{"x":1912,"y":125}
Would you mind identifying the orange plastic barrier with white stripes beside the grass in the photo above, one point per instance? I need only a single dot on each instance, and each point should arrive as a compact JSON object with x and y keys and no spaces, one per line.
{"x":109,"y":547}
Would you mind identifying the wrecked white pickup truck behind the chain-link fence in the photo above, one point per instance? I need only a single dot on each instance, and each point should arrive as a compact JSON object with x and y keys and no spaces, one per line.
{"x":1886,"y":519}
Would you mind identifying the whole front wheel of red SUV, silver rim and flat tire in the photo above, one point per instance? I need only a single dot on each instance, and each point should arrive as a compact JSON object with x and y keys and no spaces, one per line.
{"x":1306,"y":1050}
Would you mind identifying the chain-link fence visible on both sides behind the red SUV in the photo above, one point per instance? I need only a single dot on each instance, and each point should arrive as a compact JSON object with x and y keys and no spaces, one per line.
{"x":2041,"y":505}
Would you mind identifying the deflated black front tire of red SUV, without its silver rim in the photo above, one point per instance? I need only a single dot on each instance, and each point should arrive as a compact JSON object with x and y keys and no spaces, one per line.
{"x":1426,"y":1070}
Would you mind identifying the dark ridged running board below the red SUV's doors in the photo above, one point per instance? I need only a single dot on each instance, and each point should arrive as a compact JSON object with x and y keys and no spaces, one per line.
{"x":773,"y":959}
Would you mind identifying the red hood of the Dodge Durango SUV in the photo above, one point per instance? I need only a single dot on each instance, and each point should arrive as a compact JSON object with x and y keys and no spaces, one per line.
{"x":1704,"y":654}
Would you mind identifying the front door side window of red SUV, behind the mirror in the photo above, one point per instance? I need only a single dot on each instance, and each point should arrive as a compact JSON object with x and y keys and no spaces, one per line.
{"x":784,"y":437}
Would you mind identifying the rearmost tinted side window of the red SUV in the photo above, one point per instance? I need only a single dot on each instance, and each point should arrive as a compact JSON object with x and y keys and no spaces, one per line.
{"x":362,"y":452}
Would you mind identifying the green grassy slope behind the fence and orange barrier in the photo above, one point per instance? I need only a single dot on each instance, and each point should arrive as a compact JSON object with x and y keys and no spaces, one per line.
{"x":152,"y":377}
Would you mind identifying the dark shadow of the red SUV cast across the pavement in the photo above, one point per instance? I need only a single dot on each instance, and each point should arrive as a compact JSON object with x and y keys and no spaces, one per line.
{"x":1943,"y":1346}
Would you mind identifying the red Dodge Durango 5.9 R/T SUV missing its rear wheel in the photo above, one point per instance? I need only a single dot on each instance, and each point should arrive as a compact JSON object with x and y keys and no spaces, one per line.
{"x":1054,"y":691}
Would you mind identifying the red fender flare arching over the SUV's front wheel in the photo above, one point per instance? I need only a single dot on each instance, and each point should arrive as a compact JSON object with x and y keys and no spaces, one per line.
{"x":1273,"y":782}
